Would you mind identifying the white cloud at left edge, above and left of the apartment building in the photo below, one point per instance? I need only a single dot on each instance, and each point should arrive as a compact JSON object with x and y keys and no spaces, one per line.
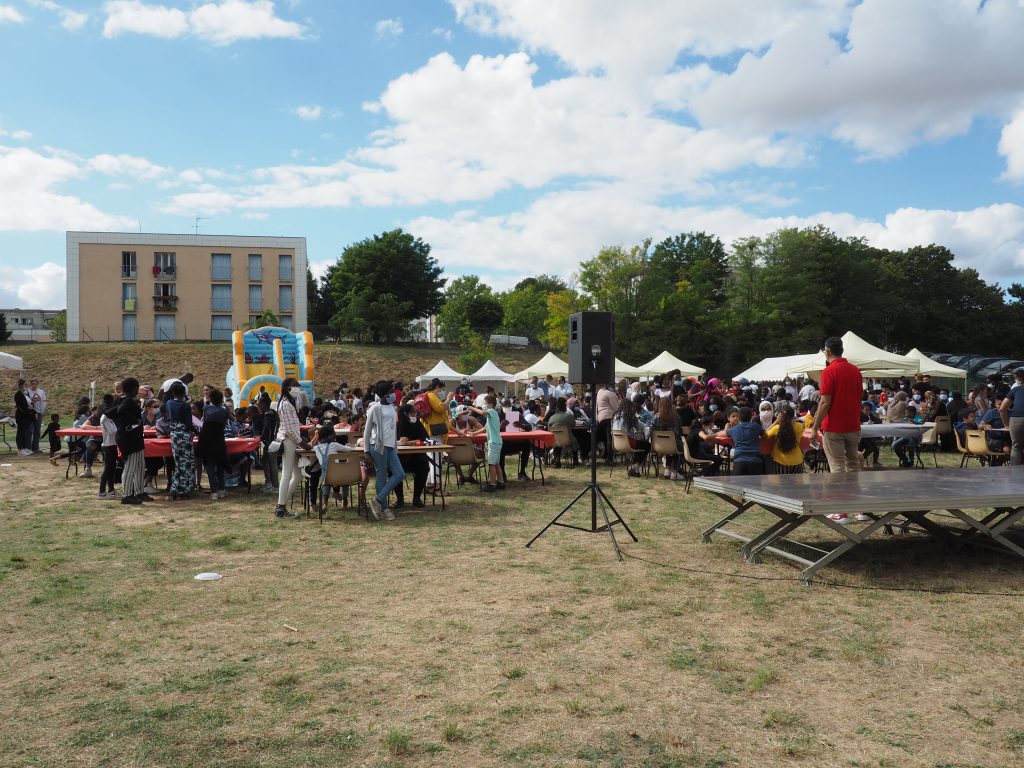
{"x":30,"y":197}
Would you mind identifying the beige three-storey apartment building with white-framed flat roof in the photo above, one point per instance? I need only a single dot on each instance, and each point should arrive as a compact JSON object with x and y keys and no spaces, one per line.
{"x":137,"y":287}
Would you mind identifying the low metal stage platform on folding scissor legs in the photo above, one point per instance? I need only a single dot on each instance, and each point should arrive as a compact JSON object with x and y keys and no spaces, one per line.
{"x":891,"y":499}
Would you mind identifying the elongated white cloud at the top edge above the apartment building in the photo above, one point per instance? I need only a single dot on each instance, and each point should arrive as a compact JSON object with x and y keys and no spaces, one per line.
{"x":219,"y":23}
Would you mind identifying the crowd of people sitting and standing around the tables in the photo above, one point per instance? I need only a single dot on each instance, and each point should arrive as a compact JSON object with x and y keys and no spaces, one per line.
{"x":297,"y":435}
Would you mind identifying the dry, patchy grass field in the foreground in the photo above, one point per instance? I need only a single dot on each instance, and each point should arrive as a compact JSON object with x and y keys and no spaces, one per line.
{"x":440,"y":641}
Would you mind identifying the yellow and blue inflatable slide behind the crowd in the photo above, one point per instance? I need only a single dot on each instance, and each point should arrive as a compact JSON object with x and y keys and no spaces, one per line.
{"x":264,"y":358}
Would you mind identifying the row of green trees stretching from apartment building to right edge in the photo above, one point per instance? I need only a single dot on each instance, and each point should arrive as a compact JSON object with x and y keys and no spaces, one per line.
{"x":722,"y":309}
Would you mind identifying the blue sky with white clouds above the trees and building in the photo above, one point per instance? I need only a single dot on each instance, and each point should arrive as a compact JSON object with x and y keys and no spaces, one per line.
{"x":515,"y":137}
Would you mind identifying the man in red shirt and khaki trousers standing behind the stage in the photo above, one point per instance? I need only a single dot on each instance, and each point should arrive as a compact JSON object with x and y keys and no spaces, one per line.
{"x":838,"y":417}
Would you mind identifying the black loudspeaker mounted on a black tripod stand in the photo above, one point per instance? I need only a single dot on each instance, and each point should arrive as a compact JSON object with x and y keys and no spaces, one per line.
{"x":592,"y":361}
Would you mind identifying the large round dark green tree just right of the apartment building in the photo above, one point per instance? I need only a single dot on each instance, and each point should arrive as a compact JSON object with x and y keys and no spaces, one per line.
{"x":383,"y":283}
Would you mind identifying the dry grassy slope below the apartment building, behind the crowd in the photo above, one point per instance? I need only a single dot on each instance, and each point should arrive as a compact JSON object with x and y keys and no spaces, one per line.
{"x":66,"y":370}
